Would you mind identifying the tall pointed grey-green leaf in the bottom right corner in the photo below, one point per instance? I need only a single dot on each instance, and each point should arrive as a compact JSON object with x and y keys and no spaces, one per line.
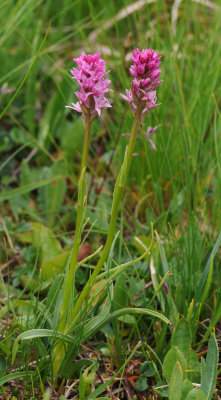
{"x":208,"y":380}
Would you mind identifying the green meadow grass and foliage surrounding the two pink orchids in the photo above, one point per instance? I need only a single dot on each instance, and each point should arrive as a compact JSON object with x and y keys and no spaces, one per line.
{"x":177,"y":187}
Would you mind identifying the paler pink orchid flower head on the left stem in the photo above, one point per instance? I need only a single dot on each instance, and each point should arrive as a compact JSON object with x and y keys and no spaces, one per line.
{"x":90,"y":76}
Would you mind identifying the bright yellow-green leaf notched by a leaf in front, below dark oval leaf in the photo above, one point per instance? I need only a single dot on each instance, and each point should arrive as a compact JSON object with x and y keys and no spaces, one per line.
{"x":173,"y":355}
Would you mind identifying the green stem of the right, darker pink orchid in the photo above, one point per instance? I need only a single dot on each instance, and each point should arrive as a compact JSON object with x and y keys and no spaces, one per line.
{"x":117,"y":197}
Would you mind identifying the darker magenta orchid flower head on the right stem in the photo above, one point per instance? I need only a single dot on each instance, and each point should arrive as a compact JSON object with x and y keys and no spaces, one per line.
{"x":146,"y":73}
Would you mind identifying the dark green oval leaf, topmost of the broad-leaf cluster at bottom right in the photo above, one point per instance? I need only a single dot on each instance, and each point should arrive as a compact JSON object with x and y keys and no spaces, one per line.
{"x":182,"y":337}
